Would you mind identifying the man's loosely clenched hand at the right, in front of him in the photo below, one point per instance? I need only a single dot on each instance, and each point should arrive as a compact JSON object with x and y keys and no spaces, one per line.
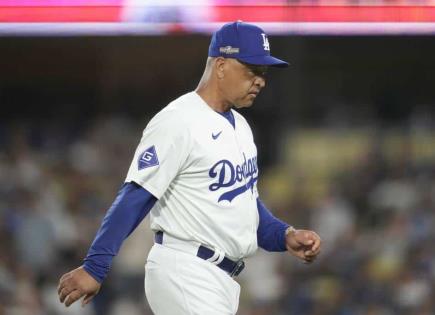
{"x":303,"y":244}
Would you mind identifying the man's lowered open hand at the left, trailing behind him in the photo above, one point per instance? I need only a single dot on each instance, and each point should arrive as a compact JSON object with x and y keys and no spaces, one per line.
{"x":76,"y":284}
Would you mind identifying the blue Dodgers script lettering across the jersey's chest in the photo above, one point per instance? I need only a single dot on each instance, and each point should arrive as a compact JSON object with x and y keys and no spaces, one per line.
{"x":228,"y":175}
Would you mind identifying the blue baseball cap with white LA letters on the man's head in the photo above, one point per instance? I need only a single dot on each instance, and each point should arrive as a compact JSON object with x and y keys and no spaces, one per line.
{"x":245,"y":42}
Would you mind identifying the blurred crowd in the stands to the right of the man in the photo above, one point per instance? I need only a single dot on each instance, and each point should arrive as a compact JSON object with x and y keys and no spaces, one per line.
{"x":376,"y":215}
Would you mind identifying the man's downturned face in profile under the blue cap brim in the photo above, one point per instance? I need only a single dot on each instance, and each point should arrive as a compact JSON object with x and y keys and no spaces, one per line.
{"x":242,"y":82}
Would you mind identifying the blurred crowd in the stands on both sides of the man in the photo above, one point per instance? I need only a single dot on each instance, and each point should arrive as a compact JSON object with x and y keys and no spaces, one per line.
{"x":375,"y":214}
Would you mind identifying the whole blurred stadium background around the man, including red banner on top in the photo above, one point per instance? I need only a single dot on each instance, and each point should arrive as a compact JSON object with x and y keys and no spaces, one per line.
{"x":346,"y":147}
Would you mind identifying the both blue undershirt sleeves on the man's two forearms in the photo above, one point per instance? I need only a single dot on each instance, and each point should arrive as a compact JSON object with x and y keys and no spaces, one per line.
{"x":131,"y":206}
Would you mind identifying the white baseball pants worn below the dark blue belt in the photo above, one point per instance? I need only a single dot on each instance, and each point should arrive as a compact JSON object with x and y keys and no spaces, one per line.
{"x":177,"y":282}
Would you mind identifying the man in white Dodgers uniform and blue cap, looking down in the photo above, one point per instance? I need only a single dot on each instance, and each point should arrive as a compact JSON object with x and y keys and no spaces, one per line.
{"x":195,"y":170}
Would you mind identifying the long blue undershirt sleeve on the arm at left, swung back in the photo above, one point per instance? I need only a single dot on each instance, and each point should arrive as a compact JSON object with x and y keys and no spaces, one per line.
{"x":131,"y":205}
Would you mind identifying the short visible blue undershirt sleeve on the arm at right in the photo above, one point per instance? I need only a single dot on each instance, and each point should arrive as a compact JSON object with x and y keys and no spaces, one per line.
{"x":271,"y":230}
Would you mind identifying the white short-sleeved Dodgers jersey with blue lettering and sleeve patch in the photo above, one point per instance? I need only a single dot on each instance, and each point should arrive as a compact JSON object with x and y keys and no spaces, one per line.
{"x":203,"y":172}
